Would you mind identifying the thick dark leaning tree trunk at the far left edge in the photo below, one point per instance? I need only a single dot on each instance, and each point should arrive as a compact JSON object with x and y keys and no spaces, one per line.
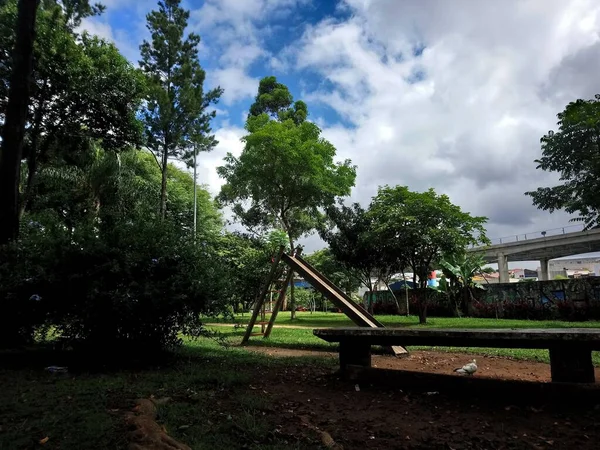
{"x":15,"y":119}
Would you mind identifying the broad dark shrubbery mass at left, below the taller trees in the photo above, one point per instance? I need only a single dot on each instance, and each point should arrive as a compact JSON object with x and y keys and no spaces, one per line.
{"x":106,"y":271}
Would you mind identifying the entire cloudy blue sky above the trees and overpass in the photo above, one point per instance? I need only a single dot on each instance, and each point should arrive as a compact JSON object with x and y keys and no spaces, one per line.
{"x":423,"y":93}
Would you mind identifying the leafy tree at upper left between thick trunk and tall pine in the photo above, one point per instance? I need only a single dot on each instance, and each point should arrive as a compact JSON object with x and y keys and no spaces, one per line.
{"x":82,"y":89}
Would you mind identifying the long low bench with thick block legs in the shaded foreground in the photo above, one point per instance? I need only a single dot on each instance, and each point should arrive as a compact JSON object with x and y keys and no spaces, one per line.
{"x":570,"y":348}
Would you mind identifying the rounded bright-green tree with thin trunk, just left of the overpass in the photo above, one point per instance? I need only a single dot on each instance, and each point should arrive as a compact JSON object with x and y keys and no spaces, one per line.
{"x":426,"y":226}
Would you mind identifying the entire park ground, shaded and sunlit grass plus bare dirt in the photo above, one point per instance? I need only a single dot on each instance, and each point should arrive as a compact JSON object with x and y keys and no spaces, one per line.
{"x":284,"y":393}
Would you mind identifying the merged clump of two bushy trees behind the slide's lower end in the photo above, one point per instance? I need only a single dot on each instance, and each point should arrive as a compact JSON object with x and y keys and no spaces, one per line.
{"x":400,"y":230}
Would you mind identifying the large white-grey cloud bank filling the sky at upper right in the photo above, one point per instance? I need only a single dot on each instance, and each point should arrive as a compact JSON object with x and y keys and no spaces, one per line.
{"x":495,"y":76}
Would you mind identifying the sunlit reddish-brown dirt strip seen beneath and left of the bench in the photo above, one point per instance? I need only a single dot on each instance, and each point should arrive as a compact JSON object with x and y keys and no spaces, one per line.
{"x":441,"y":363}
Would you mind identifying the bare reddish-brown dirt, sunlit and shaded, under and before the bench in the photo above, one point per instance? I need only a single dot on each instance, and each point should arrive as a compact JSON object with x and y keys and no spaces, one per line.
{"x":357,"y":415}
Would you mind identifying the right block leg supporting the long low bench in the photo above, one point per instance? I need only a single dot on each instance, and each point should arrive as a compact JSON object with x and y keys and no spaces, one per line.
{"x":571,"y":365}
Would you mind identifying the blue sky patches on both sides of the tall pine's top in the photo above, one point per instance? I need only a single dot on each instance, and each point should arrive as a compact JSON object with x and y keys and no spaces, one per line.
{"x":253,"y":46}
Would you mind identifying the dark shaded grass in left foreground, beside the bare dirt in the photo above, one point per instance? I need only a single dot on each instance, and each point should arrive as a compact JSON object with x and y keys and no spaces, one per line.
{"x":212,"y":406}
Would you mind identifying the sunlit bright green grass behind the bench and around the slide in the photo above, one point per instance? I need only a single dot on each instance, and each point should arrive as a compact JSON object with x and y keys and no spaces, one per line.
{"x":304,"y":338}
